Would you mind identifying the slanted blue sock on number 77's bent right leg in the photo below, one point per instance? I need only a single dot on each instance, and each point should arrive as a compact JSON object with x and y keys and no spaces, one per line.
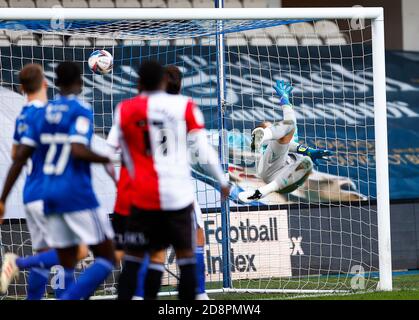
{"x":89,"y":280}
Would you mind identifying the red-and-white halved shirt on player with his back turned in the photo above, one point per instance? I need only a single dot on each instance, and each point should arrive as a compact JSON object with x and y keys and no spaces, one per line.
{"x":154,"y":139}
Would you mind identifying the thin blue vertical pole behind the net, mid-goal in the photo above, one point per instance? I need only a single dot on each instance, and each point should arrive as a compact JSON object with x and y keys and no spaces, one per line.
{"x":223,"y":148}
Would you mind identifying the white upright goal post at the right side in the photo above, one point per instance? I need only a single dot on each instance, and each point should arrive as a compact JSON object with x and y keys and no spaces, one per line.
{"x":381,"y":151}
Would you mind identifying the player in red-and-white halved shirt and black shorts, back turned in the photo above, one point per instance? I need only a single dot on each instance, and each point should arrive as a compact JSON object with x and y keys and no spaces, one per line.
{"x":157,"y":129}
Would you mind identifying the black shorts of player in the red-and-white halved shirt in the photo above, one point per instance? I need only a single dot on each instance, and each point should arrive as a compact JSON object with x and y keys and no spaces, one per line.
{"x":154,"y":230}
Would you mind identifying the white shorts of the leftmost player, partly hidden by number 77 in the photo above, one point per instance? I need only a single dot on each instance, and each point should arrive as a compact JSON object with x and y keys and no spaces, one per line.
{"x":37,"y":224}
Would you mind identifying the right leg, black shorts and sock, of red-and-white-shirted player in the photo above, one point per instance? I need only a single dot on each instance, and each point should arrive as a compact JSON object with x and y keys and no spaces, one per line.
{"x":183,"y":234}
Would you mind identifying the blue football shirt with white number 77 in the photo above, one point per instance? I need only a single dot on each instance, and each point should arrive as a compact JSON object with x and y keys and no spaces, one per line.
{"x":67,"y":185}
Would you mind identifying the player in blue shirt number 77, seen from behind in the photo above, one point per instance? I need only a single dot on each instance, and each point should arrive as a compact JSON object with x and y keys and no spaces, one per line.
{"x":63,"y":133}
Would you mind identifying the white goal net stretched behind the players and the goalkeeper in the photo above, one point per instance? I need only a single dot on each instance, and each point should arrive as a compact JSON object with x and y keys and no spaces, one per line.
{"x":324,"y":236}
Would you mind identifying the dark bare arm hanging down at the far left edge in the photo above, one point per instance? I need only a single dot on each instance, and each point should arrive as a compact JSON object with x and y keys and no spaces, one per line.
{"x":23,"y":153}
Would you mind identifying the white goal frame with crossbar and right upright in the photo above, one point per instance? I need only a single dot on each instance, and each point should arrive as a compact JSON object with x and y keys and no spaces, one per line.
{"x":375,"y":15}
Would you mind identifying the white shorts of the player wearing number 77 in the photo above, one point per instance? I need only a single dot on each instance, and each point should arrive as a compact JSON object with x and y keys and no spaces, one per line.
{"x":88,"y":227}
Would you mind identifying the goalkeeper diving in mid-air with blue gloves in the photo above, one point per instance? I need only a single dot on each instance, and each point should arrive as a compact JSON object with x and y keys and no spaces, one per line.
{"x":284,"y":164}
